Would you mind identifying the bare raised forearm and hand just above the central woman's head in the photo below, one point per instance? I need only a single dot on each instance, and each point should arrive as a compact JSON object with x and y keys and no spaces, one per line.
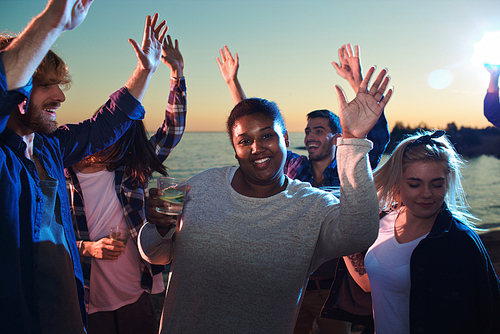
{"x":229,"y":69}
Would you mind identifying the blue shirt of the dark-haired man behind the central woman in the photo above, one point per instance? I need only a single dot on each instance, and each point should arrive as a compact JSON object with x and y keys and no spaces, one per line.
{"x":299,"y":167}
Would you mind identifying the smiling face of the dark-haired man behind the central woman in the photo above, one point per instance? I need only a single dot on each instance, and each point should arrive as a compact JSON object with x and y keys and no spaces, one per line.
{"x":319,"y":139}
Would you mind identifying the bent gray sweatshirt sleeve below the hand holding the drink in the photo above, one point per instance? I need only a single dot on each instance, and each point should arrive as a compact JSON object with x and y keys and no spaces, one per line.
{"x":154,"y":247}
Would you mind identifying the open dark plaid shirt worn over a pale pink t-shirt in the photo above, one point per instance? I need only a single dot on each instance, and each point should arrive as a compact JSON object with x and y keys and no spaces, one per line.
{"x":131,"y":195}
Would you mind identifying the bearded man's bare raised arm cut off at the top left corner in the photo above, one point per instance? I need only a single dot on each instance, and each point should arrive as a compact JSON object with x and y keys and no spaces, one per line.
{"x":22,"y":57}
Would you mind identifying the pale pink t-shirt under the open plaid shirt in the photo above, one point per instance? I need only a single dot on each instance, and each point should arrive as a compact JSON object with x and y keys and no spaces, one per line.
{"x":113,"y":283}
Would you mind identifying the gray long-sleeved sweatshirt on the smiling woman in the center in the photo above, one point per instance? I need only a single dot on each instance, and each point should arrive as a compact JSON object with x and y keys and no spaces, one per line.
{"x":239,"y":264}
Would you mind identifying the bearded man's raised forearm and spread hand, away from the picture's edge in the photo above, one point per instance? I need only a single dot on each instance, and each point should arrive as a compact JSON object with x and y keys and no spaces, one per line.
{"x":148,"y":55}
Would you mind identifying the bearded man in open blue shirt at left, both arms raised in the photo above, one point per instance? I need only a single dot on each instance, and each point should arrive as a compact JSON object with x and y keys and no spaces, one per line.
{"x":41,"y":279}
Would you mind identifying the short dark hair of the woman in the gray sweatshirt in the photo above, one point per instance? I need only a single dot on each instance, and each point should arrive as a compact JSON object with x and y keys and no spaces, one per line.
{"x":255,"y":106}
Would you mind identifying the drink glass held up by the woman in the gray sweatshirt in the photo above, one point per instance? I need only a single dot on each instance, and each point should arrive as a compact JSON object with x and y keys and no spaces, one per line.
{"x":173,"y":192}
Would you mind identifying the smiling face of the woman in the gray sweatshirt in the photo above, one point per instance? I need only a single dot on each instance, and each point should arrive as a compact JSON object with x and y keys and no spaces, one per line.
{"x":260,"y":147}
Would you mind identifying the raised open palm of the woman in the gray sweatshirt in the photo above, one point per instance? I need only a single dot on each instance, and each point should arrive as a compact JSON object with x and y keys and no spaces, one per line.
{"x":358,"y":116}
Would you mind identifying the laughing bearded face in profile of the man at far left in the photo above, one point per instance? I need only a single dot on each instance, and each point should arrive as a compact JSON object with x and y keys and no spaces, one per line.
{"x":45,"y":98}
